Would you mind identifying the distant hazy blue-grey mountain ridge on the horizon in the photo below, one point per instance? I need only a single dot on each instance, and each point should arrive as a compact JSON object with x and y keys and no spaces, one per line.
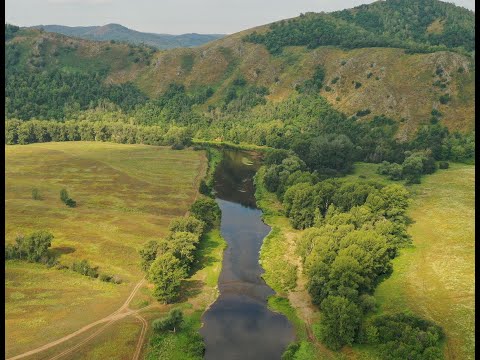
{"x":121,"y":33}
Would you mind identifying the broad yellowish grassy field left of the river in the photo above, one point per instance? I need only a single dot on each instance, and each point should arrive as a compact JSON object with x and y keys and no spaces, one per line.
{"x":126,"y":195}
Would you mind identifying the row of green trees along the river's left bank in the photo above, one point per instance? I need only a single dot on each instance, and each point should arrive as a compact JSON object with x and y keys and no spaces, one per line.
{"x":168,"y":261}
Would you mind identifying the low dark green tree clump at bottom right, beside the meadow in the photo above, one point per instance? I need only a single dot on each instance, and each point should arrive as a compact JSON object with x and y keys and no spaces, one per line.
{"x":403,"y":336}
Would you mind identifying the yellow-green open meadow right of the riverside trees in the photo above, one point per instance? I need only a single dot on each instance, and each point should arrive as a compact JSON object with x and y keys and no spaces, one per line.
{"x":436,"y":277}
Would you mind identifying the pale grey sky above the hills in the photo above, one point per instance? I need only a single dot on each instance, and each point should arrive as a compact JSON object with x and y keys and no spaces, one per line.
{"x":172,"y":16}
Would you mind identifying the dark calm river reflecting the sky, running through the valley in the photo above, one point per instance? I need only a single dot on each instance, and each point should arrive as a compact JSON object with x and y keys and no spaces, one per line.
{"x":239,"y":325}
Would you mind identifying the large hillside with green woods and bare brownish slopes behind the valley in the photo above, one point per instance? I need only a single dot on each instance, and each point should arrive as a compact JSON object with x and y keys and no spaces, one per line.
{"x":257,"y":85}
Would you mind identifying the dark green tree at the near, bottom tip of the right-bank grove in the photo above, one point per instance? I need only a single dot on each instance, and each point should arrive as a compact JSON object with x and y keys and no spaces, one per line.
{"x":340,"y":322}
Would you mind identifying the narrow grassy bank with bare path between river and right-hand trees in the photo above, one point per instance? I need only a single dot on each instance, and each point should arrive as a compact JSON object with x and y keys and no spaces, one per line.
{"x":283,"y":273}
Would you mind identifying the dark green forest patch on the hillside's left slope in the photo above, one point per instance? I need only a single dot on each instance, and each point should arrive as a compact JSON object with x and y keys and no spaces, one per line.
{"x":49,"y":94}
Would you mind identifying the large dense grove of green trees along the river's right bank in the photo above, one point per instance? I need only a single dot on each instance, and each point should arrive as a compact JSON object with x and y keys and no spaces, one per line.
{"x":353,"y":231}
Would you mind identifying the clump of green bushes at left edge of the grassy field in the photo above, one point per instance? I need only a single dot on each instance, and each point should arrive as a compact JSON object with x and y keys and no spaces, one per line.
{"x":32,"y":248}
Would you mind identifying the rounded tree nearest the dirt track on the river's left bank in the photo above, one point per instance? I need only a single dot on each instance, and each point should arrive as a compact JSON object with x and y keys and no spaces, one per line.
{"x":166,"y":273}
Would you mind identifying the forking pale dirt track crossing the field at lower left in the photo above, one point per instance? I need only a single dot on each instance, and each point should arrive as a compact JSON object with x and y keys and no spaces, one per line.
{"x":122,"y":312}
